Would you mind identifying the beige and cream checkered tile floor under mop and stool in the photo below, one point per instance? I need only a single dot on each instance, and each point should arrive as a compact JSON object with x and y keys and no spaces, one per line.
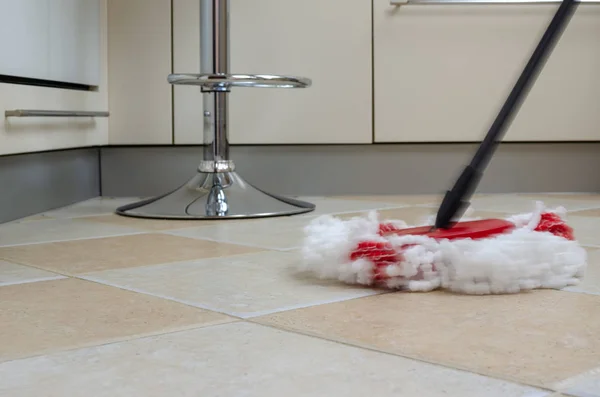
{"x":93,"y":304}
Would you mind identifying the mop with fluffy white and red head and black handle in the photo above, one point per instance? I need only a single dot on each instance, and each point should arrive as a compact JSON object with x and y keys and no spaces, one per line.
{"x":477,"y":256}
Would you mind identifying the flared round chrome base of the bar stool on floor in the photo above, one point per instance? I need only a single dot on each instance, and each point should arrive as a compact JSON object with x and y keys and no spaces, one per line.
{"x":218,"y":195}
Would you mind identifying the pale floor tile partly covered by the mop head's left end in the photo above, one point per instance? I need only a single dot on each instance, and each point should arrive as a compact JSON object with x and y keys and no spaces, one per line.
{"x":243,"y":285}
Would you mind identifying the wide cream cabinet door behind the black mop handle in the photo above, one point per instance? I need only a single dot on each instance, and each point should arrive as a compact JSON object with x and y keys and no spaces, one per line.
{"x":443,"y":72}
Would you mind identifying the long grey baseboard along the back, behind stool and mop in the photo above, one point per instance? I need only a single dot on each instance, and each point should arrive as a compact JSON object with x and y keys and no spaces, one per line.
{"x":360,"y":169}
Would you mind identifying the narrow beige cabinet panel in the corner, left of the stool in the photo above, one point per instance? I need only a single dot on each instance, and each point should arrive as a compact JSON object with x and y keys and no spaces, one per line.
{"x":139,"y":35}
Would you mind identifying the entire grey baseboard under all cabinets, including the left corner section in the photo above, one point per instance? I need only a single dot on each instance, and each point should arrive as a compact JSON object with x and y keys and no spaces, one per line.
{"x":37,"y":182}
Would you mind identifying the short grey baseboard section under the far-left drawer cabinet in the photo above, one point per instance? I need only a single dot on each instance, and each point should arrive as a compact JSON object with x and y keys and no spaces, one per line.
{"x":37,"y":182}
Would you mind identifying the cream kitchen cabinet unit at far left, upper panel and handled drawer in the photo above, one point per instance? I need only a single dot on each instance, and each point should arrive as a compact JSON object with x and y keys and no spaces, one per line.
{"x":62,"y":48}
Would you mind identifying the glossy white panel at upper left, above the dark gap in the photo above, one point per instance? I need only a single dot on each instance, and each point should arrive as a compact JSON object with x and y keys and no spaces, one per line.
{"x":56,"y":40}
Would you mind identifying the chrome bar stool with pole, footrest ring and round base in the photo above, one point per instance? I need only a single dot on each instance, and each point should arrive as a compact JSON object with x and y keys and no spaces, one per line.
{"x":217,"y":191}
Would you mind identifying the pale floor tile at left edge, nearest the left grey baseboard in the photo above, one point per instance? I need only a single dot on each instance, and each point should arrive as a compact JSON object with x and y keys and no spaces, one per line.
{"x":34,"y":232}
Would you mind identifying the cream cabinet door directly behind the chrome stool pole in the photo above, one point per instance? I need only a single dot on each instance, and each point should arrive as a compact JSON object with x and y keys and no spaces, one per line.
{"x":327,"y":41}
